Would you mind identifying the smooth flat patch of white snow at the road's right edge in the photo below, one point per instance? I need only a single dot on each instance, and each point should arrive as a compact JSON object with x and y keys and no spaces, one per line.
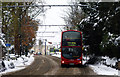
{"x":103,"y":70}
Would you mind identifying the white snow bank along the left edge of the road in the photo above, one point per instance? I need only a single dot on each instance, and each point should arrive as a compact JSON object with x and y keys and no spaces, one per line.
{"x":19,"y":64}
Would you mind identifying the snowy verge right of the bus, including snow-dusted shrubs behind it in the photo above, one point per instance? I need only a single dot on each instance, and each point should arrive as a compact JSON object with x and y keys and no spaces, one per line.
{"x":104,"y":66}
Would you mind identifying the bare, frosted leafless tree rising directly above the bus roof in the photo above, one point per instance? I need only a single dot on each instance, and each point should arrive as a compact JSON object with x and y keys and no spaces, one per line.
{"x":73,"y":16}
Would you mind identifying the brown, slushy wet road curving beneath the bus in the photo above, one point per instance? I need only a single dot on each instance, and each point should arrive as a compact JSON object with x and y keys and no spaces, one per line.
{"x":48,"y":65}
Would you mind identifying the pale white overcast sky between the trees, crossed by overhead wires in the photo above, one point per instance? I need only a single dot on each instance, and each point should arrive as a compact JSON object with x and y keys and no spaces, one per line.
{"x":52,"y":17}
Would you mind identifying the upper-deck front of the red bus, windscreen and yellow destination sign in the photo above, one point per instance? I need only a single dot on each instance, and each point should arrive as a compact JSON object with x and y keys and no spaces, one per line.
{"x":71,"y":38}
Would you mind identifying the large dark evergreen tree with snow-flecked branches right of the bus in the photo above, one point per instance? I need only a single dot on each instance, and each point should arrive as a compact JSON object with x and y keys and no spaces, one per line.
{"x":102,"y":21}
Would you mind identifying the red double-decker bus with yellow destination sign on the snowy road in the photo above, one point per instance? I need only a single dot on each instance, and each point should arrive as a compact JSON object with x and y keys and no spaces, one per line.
{"x":71,"y":48}
